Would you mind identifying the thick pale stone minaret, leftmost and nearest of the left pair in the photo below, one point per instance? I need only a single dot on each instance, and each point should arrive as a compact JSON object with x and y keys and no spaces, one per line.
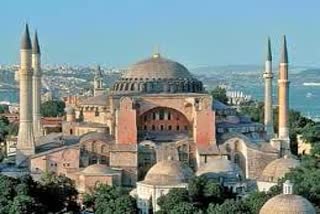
{"x":25,"y":144}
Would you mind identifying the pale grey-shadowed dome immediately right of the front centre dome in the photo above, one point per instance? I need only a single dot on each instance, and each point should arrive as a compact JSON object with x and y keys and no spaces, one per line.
{"x":221,"y":168}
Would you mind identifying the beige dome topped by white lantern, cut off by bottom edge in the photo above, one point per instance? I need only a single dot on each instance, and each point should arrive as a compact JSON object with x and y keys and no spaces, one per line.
{"x":287,"y":204}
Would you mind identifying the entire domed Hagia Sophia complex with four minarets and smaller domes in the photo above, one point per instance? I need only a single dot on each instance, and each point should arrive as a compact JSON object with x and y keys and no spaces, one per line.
{"x":154,"y":130}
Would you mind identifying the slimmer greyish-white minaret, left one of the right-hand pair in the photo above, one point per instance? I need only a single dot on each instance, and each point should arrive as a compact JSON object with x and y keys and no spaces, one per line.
{"x":268,"y":76}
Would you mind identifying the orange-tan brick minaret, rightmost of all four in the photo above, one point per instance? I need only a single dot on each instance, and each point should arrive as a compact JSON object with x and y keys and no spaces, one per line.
{"x":283,"y":87}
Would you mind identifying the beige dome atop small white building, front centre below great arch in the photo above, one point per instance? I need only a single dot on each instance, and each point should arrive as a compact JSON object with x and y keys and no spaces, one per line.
{"x":168,"y":172}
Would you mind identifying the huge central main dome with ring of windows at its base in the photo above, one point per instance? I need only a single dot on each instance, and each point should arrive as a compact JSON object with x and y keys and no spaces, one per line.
{"x":157,"y":75}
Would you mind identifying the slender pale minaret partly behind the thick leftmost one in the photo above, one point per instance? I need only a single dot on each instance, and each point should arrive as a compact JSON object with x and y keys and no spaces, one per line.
{"x":36,"y":87}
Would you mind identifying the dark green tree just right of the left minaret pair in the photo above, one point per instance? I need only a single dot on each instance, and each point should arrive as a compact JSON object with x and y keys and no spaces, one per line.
{"x":54,"y":108}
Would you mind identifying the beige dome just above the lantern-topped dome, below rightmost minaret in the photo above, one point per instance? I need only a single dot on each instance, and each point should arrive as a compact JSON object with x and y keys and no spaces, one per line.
{"x":278,"y":168}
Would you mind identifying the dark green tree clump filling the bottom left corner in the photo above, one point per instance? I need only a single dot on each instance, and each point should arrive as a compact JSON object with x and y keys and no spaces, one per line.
{"x":52,"y":194}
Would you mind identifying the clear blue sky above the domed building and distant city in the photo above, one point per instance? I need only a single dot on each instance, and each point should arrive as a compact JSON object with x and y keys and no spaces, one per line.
{"x":193,"y":32}
